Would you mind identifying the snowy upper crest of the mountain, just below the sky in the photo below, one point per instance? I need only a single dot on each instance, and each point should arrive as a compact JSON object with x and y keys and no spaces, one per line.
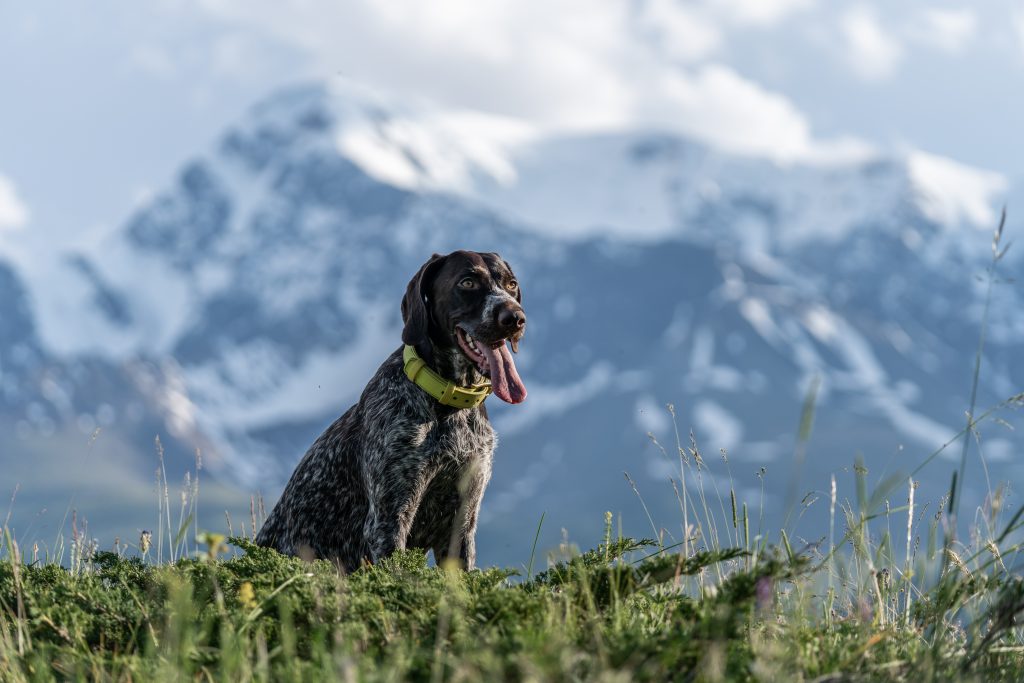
{"x":634,"y":187}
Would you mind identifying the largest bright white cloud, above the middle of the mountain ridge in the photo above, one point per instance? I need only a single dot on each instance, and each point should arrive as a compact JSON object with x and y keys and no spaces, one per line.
{"x":558,"y":65}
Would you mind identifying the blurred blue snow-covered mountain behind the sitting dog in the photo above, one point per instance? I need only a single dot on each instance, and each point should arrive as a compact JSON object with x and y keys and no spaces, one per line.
{"x":245,"y":308}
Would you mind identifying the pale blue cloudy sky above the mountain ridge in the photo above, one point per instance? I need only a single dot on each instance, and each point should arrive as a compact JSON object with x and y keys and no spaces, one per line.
{"x":102,"y":103}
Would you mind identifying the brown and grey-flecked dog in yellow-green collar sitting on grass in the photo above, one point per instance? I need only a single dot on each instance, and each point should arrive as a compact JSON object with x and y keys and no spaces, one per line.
{"x":407,"y":466}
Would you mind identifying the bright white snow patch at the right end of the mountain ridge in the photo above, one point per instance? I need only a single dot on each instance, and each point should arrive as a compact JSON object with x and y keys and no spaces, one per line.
{"x":952,"y":193}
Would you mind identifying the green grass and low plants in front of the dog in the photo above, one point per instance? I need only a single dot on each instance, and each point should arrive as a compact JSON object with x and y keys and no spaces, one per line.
{"x":892,"y":593}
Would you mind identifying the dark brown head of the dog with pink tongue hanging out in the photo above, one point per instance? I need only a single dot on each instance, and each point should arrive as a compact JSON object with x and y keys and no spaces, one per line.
{"x":459,"y":312}
